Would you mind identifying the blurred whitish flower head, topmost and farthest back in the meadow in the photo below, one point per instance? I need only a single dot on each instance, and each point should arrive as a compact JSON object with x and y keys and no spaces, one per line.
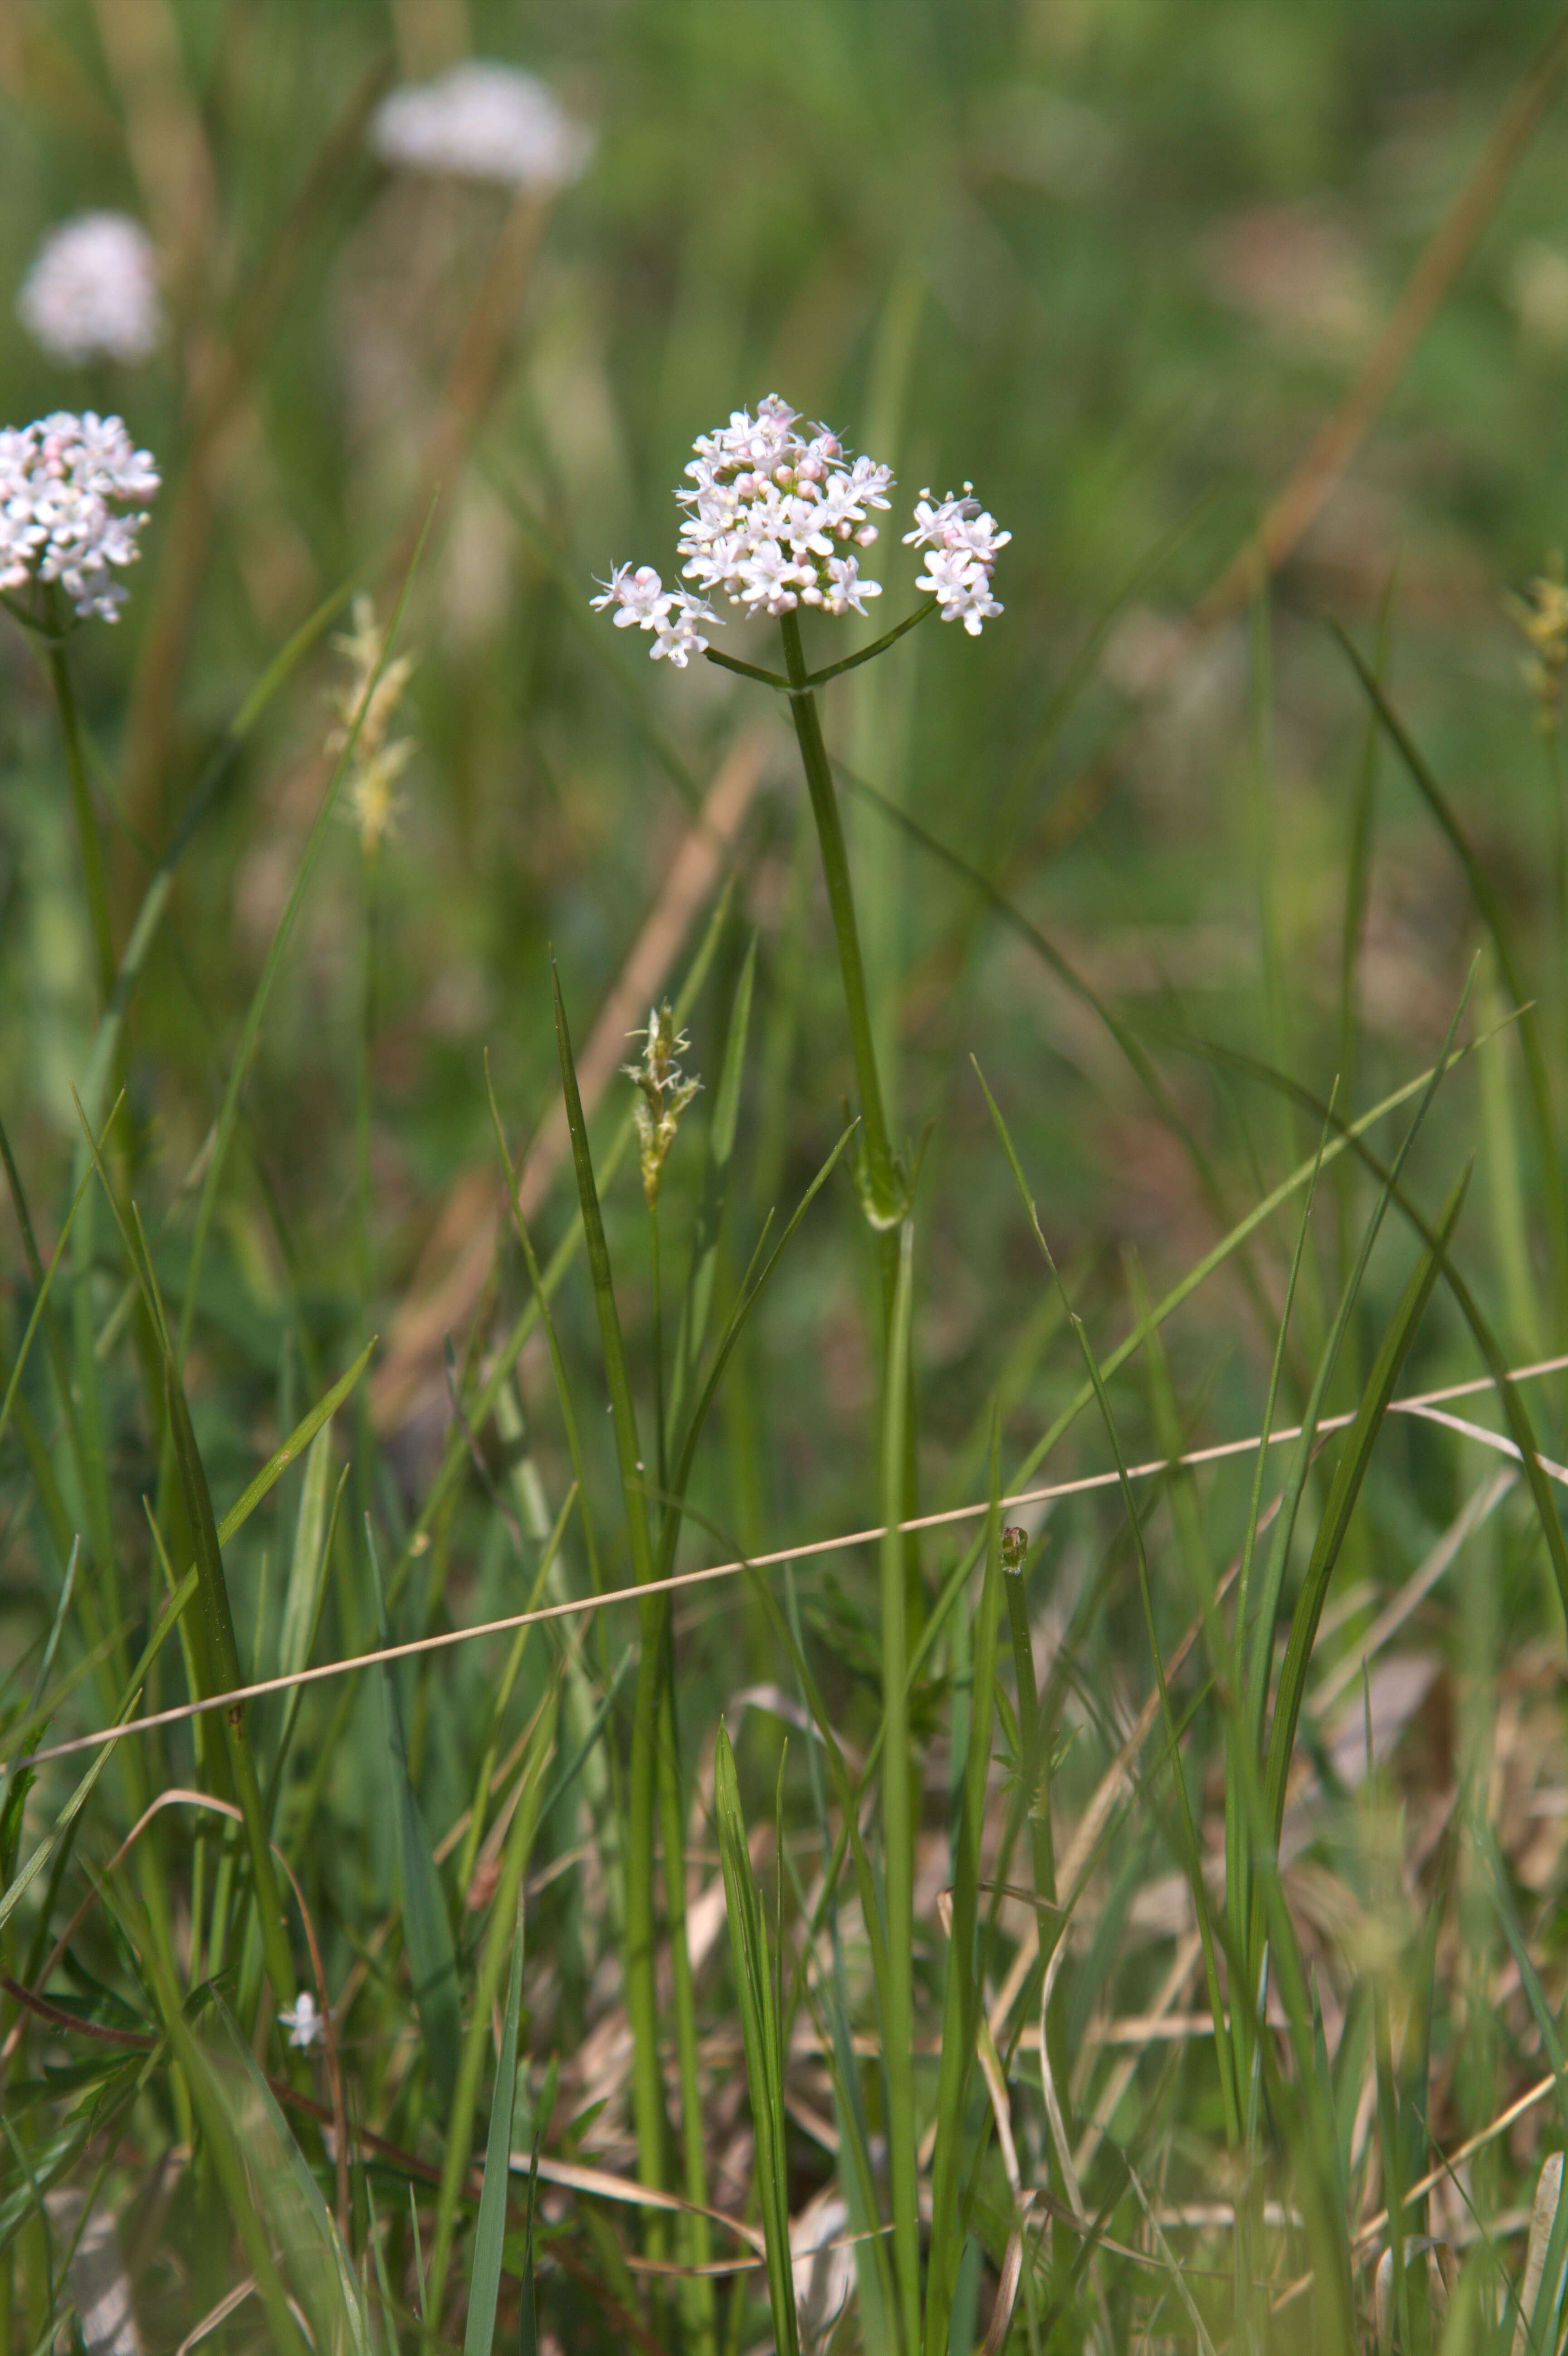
{"x":484,"y":121}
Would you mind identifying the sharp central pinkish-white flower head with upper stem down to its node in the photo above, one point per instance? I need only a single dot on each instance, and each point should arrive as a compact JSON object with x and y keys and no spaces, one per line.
{"x":778,"y":519}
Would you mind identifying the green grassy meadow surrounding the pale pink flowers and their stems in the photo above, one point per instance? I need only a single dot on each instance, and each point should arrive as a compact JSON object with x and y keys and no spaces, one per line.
{"x":1138,"y":852}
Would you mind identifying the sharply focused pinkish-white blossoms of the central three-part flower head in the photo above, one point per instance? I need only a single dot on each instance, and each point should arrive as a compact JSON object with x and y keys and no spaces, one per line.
{"x":776,"y":517}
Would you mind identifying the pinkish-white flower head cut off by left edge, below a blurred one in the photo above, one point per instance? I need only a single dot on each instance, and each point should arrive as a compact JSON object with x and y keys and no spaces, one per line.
{"x":65,"y":489}
